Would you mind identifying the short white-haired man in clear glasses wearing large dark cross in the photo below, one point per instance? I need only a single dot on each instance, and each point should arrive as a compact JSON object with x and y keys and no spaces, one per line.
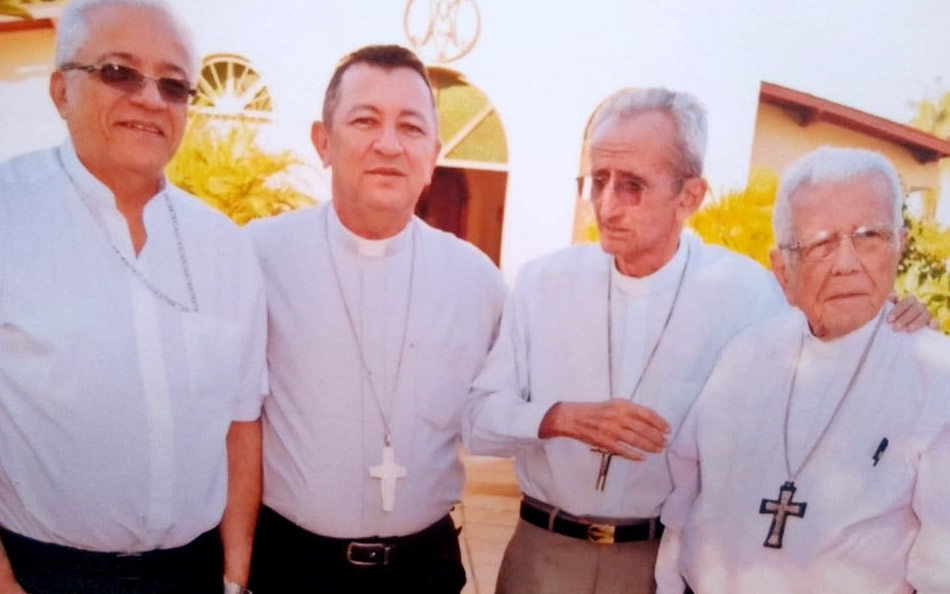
{"x":815,"y":459}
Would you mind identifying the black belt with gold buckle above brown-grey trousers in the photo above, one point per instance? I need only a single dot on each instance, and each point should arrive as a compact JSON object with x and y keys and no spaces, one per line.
{"x":550,"y":518}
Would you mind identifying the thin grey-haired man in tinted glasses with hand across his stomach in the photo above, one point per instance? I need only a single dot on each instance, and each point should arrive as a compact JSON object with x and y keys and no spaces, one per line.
{"x":603,"y":350}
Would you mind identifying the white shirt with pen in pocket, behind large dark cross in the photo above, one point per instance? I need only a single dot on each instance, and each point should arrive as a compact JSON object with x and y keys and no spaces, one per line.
{"x":867,"y":527}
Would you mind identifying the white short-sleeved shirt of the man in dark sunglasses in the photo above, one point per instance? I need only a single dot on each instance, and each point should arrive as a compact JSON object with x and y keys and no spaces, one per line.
{"x":114,"y":406}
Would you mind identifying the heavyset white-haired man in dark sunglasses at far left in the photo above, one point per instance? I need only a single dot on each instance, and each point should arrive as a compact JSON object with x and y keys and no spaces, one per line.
{"x":132,"y":329}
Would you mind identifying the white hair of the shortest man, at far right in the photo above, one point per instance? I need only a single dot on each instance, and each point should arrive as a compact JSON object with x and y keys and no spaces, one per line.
{"x":829,"y":165}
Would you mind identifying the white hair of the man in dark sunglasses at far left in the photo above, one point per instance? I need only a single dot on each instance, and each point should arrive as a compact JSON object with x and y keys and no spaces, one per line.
{"x":72,"y":30}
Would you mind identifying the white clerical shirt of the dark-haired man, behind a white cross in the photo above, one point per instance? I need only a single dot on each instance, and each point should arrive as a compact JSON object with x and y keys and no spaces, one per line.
{"x":322,"y":427}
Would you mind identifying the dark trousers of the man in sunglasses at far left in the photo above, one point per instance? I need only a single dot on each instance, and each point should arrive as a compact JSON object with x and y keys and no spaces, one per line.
{"x":43,"y":568}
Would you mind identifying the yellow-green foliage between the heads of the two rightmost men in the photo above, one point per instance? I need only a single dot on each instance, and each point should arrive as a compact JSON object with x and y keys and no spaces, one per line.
{"x":741,"y":220}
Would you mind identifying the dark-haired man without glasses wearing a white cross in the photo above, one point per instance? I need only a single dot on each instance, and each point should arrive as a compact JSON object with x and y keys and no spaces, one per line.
{"x":373,"y":345}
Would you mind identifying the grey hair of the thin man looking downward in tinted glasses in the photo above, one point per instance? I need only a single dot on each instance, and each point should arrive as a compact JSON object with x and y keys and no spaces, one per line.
{"x":689,"y":120}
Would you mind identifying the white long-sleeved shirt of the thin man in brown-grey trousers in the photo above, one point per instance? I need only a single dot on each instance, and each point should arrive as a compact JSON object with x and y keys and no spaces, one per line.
{"x":553,"y":348}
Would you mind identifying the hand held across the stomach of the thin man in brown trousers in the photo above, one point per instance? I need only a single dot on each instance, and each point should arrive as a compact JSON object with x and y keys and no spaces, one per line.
{"x":619,"y":426}
